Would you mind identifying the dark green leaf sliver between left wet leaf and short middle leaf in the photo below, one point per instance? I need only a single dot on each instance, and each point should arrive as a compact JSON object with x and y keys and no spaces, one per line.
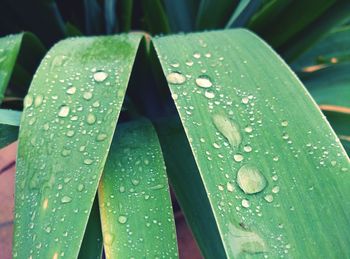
{"x":92,"y":245}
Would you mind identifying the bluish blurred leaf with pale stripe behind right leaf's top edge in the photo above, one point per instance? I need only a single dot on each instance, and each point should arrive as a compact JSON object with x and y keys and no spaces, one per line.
{"x":243,"y":12}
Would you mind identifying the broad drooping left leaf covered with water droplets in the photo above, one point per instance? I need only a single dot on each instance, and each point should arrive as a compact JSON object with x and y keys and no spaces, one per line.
{"x":67,"y":126}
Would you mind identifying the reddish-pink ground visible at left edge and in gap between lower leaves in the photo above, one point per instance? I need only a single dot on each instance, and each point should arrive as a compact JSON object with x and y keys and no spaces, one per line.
{"x":187,"y":245}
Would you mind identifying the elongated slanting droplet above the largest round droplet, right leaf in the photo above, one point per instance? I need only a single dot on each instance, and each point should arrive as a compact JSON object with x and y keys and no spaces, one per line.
{"x":228,"y":128}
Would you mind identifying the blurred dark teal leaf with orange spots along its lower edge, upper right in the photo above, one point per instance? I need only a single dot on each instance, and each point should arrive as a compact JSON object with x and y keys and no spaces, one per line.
{"x":334,"y":48}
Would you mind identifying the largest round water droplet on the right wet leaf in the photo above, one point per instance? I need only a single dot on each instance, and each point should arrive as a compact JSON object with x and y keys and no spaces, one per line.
{"x":250,"y":179}
